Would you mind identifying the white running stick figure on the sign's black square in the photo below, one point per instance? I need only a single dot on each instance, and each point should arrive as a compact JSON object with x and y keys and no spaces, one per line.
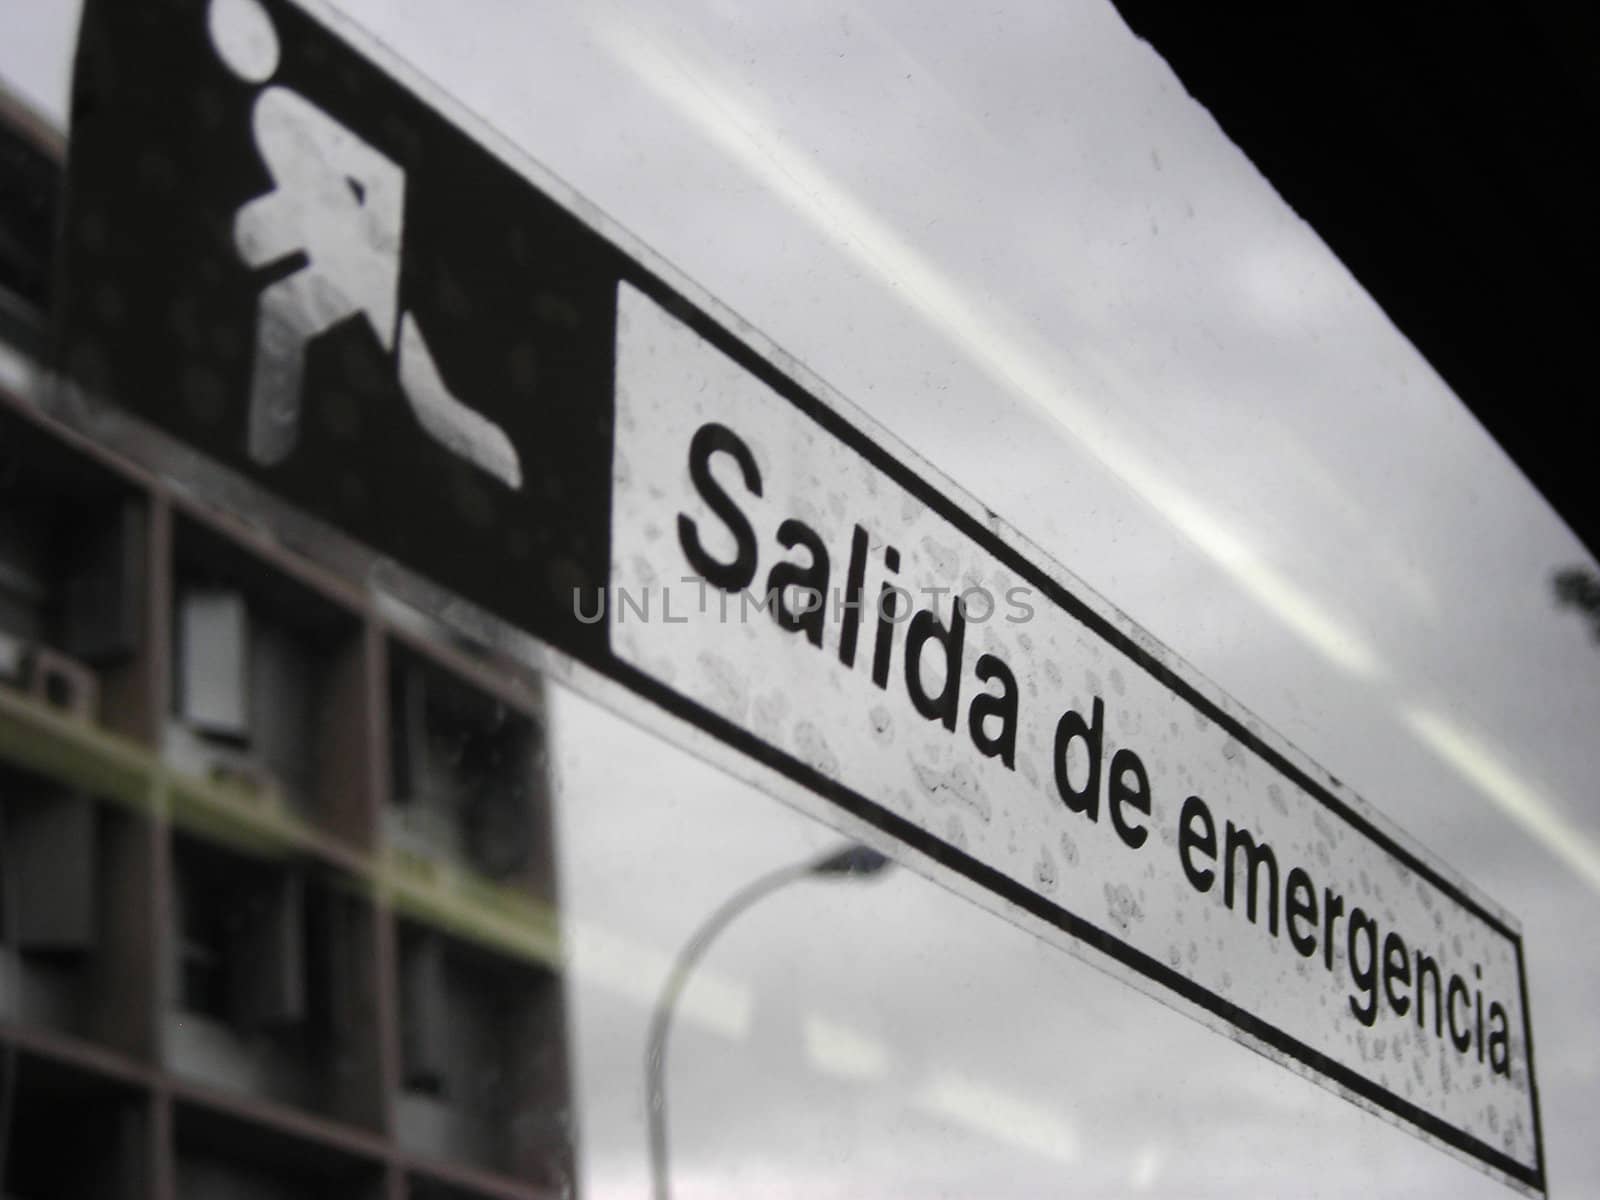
{"x":342,"y":204}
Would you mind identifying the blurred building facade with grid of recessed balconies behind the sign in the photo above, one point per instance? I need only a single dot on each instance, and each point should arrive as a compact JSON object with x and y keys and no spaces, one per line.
{"x":278,"y":871}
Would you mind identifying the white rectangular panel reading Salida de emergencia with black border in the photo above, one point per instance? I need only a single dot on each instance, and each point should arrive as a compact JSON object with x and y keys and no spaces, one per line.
{"x":778,"y":570}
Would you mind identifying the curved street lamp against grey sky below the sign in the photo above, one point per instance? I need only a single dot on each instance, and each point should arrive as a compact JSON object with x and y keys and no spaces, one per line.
{"x":854,"y":862}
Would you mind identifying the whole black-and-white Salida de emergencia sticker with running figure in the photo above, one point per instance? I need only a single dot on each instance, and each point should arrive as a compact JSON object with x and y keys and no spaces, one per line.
{"x":287,"y":258}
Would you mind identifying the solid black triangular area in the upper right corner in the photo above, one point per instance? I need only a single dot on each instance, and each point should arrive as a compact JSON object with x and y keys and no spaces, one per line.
{"x":1450,"y":156}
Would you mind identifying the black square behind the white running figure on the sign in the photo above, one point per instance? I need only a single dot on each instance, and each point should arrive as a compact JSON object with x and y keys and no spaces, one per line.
{"x":516,"y":298}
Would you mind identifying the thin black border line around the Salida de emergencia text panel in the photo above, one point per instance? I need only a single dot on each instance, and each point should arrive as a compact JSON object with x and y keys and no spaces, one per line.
{"x":1006,"y":887}
